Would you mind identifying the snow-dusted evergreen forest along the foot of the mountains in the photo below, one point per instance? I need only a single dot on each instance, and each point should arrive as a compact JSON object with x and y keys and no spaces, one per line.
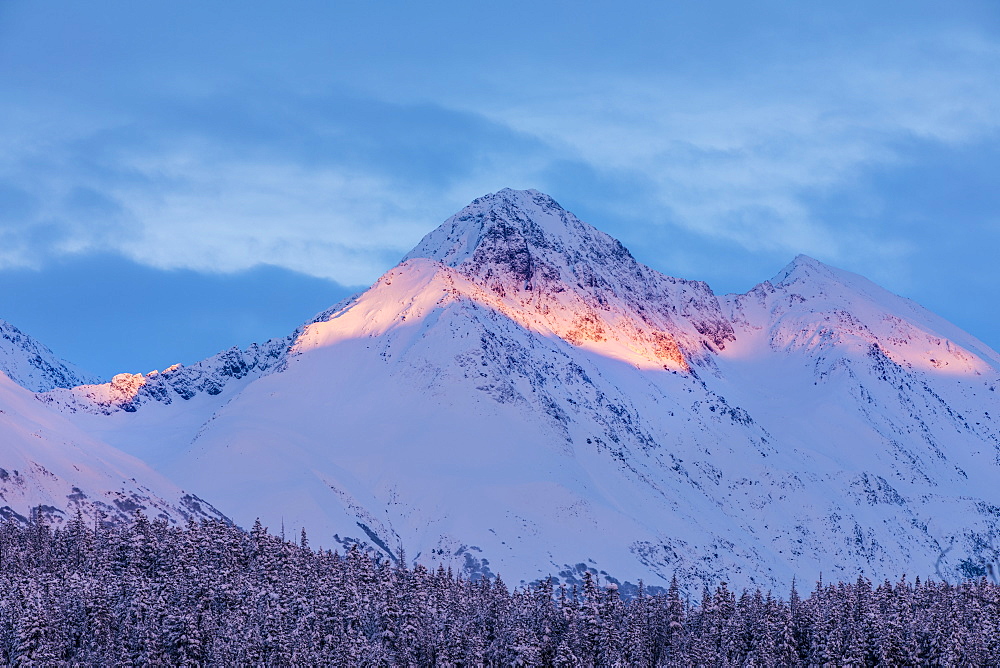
{"x":211,"y":593}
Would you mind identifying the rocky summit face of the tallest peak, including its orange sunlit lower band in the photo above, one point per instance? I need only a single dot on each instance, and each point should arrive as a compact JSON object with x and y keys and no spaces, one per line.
{"x":548,"y":265}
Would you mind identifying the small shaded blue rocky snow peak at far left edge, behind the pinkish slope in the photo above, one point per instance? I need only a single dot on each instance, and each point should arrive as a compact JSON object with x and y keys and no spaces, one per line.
{"x":30,"y":364}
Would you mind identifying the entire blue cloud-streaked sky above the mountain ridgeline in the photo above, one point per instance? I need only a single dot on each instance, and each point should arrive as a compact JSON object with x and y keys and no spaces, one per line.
{"x":177,"y":178}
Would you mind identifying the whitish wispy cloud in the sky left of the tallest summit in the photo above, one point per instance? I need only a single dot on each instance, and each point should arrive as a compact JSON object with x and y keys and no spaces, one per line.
{"x":336,"y":187}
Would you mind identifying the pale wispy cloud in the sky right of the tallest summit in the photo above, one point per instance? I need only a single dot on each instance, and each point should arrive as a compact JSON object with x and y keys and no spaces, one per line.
{"x":745,"y":160}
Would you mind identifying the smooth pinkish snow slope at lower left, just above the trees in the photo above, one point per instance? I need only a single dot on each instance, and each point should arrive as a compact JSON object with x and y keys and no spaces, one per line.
{"x":47,"y":462}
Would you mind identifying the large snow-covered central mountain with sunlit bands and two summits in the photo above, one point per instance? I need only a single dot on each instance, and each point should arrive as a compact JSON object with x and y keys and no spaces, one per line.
{"x":521,"y":396}
